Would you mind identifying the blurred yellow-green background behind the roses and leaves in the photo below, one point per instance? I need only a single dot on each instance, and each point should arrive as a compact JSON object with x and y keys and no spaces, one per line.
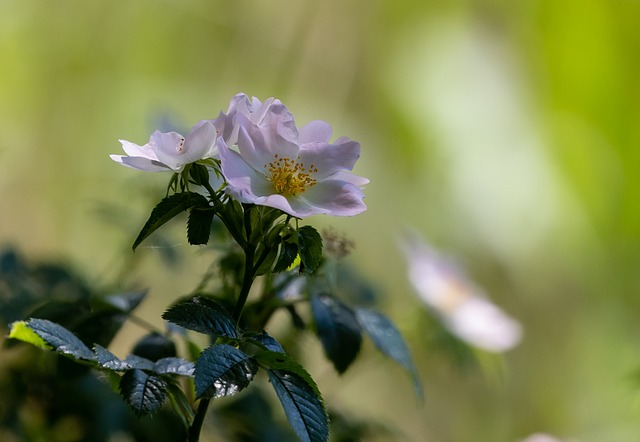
{"x":505,"y":132}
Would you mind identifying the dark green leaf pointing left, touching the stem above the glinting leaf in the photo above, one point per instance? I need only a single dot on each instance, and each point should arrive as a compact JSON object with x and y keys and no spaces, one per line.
{"x":203,"y":315}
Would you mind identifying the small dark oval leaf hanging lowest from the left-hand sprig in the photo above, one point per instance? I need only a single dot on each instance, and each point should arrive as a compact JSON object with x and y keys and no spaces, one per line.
{"x":144,"y":392}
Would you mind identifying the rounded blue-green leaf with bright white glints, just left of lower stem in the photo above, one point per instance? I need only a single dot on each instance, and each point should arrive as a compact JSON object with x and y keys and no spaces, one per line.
{"x":223,"y":370}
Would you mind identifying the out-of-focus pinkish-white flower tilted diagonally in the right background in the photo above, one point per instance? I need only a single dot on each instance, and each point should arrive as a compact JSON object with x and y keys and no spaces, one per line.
{"x":462,"y":306}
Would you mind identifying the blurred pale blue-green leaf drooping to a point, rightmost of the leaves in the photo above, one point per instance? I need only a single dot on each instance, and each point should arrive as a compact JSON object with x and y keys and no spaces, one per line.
{"x":389,"y":341}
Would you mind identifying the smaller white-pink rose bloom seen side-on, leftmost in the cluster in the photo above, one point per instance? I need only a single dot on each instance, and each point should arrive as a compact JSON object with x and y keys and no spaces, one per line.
{"x":170,"y":151}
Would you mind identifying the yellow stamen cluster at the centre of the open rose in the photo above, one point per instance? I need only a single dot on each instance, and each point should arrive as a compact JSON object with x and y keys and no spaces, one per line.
{"x":290,"y":177}
